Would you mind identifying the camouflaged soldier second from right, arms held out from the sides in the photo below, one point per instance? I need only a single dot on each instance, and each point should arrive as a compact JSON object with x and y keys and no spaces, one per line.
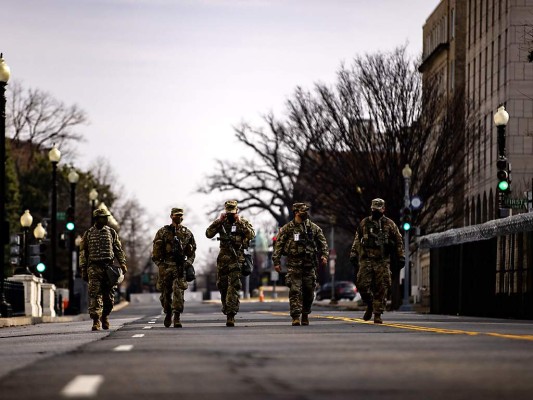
{"x":303,"y":242}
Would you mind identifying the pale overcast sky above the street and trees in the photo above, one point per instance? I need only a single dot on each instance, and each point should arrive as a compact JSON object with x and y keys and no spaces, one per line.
{"x":164,"y":81}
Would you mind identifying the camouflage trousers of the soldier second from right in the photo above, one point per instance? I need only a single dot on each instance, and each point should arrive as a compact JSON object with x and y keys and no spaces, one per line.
{"x":301,"y":281}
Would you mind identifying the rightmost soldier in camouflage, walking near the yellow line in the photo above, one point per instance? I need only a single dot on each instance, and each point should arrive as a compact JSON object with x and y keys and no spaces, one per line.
{"x":375,"y":239}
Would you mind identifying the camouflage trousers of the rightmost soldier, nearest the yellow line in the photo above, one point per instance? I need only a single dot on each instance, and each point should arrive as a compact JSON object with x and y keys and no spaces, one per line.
{"x":374,"y":282}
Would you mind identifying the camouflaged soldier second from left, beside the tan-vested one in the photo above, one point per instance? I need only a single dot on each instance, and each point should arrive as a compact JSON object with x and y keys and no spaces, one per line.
{"x":171,"y":280}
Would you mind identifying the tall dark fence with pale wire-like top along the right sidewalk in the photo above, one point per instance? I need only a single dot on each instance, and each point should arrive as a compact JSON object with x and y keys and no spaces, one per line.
{"x":483,"y":270}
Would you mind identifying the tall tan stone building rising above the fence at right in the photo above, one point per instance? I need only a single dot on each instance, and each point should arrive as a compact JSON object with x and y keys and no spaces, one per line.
{"x":481,"y":47}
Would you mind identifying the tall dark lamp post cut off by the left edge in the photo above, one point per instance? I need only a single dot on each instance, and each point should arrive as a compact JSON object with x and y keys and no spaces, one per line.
{"x":5,"y":72}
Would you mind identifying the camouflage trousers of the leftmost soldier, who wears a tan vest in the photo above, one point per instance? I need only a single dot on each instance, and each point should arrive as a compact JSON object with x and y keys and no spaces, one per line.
{"x":101,"y":293}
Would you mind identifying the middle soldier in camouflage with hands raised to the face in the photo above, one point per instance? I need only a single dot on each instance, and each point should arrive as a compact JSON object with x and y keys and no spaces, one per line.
{"x":235,"y":233}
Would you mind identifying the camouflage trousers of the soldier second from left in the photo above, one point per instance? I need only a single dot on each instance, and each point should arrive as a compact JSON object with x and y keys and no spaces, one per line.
{"x":171,"y":284}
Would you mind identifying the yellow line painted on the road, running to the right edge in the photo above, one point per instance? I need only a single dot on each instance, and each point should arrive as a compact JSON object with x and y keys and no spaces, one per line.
{"x":418,"y":327}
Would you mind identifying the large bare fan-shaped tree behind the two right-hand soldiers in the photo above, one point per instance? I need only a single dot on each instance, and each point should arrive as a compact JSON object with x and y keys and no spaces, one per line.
{"x":367,"y":128}
